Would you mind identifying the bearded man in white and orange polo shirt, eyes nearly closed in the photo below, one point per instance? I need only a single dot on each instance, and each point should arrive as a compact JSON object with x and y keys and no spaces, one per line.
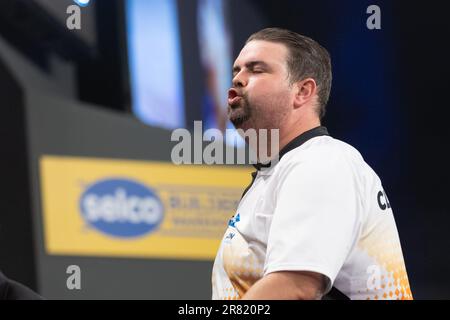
{"x":317,"y":224}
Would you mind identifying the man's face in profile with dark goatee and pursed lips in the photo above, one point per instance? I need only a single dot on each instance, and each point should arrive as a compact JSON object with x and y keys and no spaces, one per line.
{"x":261,"y":95}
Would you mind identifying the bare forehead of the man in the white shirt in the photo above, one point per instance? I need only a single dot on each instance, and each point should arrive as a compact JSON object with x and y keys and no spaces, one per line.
{"x":260,"y":50}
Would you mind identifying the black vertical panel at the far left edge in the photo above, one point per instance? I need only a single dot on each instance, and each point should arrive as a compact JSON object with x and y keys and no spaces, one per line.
{"x":16,"y":233}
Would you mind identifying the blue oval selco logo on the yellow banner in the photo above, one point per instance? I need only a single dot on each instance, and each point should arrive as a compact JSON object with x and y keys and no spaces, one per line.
{"x":121,"y":208}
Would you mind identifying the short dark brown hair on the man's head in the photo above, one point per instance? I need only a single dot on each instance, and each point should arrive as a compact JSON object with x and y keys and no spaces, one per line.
{"x":307,"y":59}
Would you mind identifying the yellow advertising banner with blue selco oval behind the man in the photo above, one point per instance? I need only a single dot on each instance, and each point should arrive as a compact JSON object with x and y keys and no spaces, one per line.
{"x":105,"y":207}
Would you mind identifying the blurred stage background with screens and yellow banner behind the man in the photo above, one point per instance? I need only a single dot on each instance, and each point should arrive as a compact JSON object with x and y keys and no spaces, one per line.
{"x":90,"y":111}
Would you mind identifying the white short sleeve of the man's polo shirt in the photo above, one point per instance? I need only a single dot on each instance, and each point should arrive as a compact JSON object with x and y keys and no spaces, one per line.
{"x":315,"y":222}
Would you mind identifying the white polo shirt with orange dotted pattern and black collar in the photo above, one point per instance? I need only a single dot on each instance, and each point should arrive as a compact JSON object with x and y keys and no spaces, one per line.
{"x":321,"y":208}
